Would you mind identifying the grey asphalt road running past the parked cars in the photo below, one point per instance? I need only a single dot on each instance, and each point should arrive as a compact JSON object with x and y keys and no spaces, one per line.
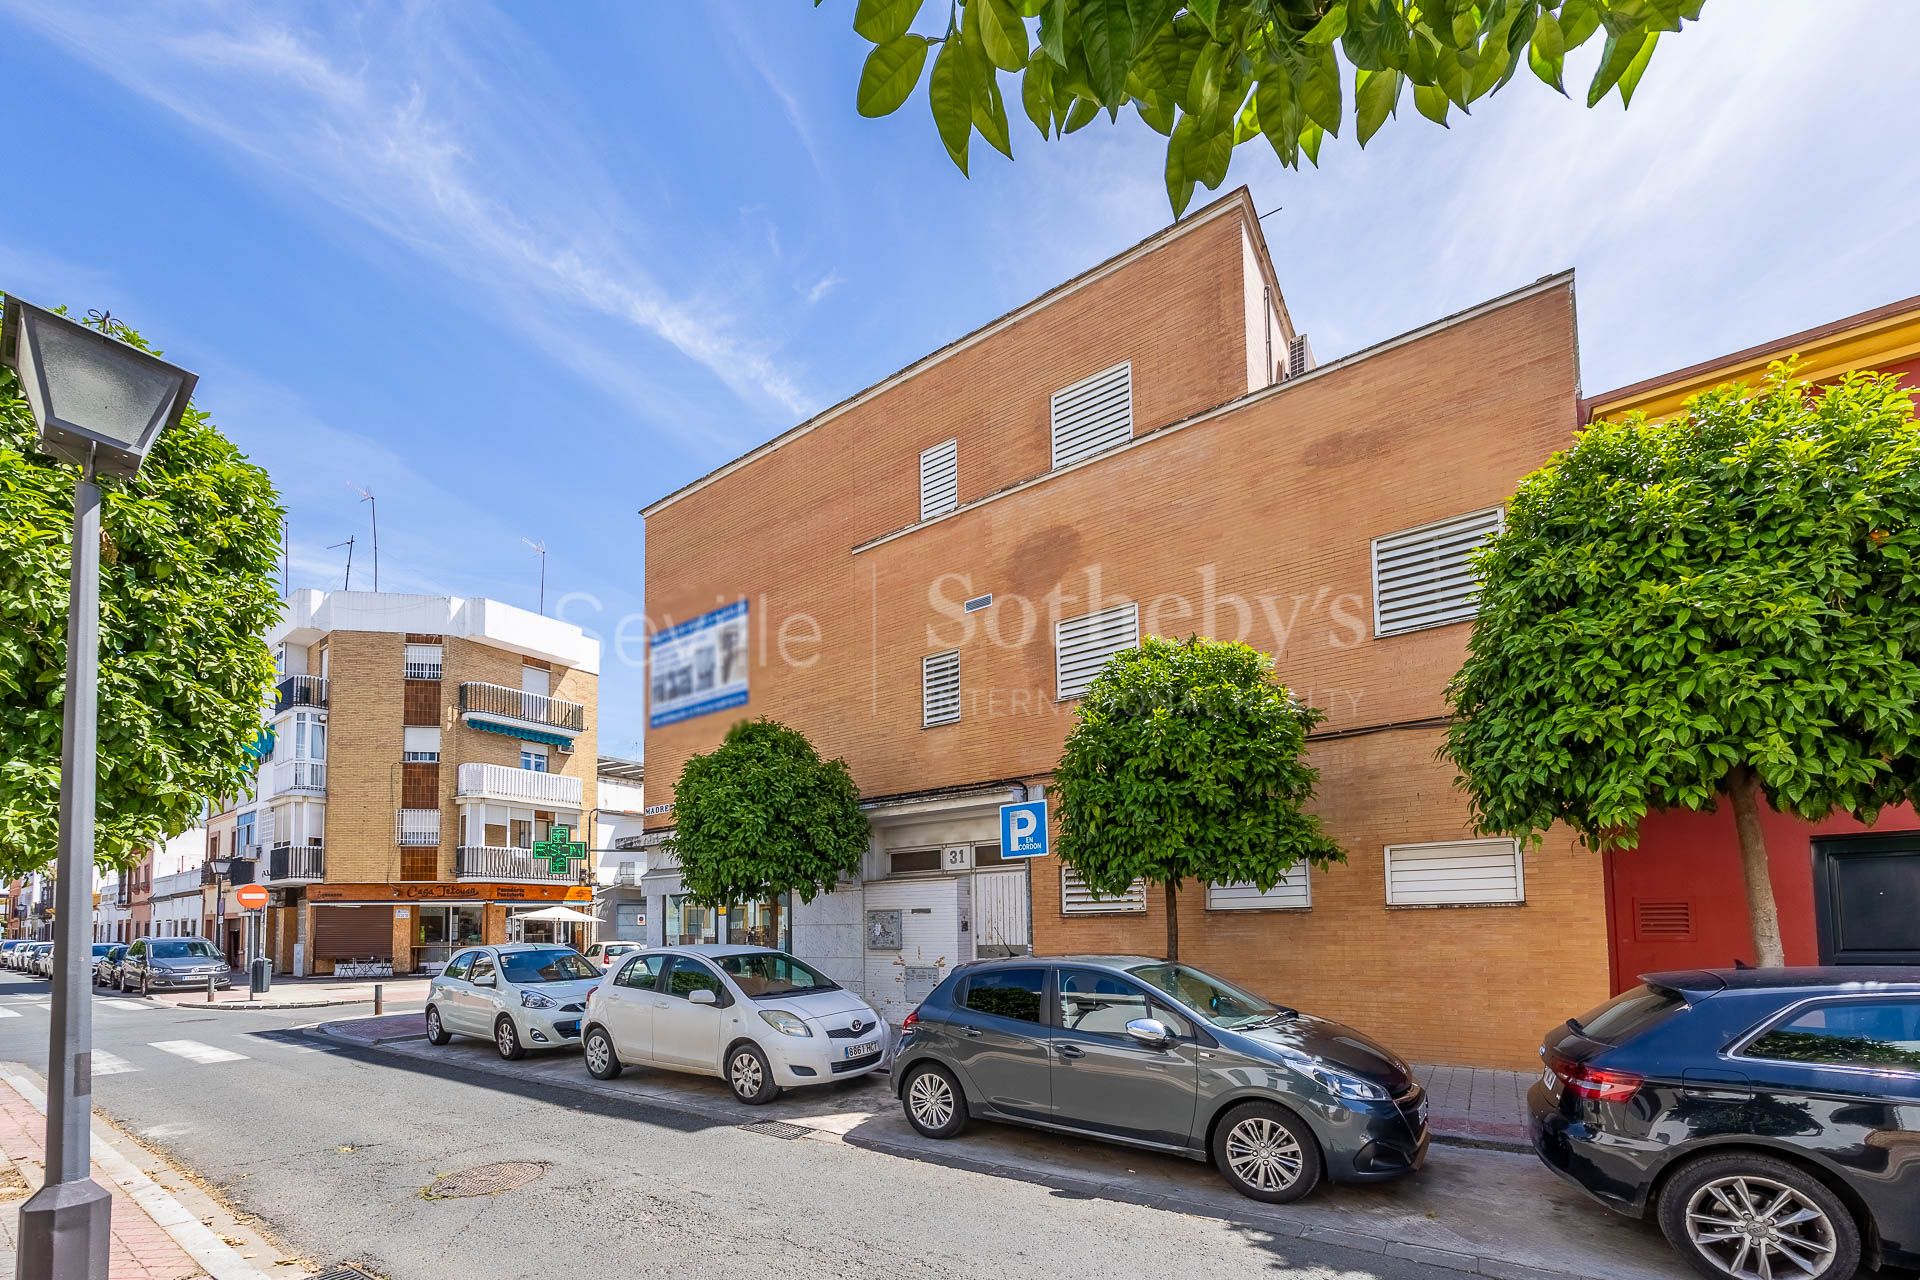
{"x":333,"y":1149}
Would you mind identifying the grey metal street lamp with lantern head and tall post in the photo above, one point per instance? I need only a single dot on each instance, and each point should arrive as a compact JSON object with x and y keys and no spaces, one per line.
{"x":99,"y":404}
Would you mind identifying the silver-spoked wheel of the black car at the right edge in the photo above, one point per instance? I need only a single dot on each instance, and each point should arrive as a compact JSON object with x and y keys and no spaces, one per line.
{"x":1750,"y":1216}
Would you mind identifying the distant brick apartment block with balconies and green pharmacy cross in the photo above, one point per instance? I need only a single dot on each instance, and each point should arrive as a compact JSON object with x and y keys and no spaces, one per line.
{"x":420,"y":751}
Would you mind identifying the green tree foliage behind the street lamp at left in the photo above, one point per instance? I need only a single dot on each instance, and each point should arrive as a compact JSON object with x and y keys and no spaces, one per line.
{"x":187,"y":594}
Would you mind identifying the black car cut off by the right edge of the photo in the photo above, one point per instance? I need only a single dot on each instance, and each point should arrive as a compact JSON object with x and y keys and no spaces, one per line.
{"x":1769,"y":1120}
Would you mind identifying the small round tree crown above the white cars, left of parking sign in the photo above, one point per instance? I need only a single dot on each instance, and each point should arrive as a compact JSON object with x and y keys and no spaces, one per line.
{"x":763,"y":815}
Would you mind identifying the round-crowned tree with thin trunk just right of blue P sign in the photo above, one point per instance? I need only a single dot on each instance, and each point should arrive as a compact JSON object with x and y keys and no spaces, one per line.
{"x":1188,"y":763}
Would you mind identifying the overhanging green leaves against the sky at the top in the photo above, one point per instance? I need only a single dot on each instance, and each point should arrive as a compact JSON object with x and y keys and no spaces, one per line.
{"x":1214,"y":74}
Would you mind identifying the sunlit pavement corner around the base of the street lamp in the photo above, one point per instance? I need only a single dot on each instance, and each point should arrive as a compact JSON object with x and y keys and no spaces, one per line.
{"x":155,"y":1237}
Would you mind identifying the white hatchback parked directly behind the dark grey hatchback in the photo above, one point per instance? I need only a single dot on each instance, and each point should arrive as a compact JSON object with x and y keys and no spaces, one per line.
{"x":757,"y":1018}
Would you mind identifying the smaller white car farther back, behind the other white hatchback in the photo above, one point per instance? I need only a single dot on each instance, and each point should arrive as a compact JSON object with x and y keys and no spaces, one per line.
{"x":519,"y":997}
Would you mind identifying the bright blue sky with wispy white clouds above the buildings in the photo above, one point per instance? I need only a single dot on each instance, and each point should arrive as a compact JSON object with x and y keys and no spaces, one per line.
{"x":523,"y":270}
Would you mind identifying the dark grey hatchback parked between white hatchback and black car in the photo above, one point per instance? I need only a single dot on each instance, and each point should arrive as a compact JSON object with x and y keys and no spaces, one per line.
{"x":1161,"y":1056}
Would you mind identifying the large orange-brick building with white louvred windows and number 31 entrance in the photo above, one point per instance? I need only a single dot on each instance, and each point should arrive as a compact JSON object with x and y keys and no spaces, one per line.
{"x":924,"y":577}
